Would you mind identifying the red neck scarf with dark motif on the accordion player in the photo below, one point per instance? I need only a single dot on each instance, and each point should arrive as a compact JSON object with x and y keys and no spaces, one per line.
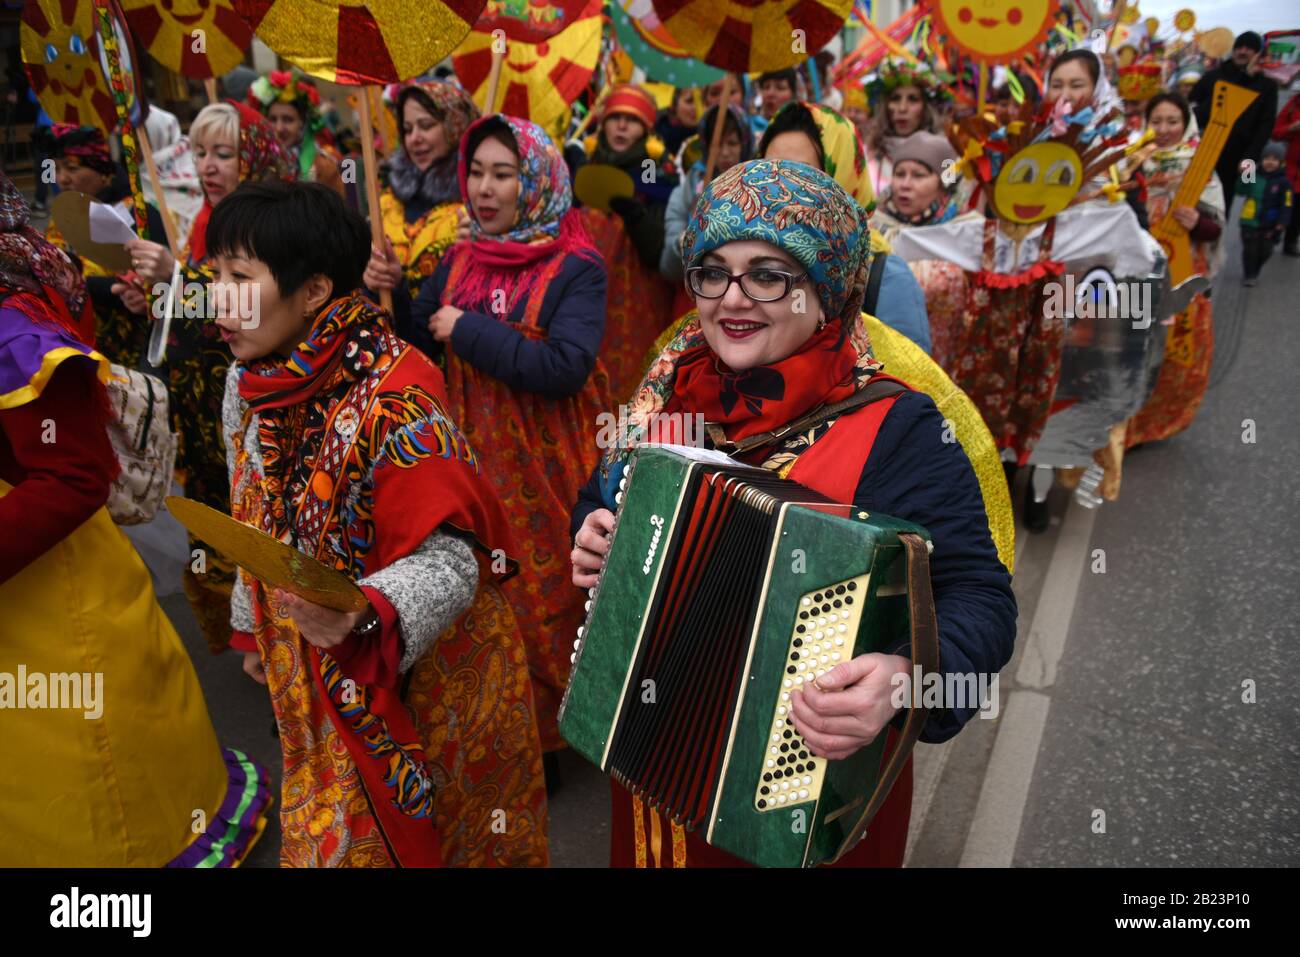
{"x":766,"y":397}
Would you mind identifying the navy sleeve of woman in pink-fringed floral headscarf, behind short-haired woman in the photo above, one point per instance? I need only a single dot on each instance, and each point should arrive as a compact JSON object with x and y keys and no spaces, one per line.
{"x":558,"y":366}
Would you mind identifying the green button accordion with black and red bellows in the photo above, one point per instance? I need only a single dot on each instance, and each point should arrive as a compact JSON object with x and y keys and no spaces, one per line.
{"x":725,"y":591}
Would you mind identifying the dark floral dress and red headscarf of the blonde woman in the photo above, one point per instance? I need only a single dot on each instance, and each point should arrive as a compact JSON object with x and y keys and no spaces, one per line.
{"x":197,"y":361}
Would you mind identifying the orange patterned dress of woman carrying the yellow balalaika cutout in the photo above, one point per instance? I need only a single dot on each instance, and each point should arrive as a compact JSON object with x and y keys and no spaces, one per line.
{"x":1190,"y":344}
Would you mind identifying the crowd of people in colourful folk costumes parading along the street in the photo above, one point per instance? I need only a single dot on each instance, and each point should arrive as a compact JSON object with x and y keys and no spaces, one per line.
{"x":778,"y":254}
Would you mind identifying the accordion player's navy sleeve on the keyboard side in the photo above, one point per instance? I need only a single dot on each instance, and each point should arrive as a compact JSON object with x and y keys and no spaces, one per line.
{"x":915,"y":475}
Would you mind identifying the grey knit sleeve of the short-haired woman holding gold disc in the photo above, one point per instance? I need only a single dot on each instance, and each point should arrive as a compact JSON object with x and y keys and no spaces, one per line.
{"x":431,"y":588}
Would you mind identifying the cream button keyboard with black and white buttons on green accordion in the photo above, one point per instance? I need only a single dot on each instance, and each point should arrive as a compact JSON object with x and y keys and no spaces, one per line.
{"x":791,"y":776}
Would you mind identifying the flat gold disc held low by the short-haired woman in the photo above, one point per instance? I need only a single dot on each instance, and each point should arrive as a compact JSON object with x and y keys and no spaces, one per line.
{"x":271,"y":562}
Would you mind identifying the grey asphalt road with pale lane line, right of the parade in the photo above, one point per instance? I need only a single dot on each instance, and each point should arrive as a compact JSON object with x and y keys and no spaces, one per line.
{"x":1149,"y":717}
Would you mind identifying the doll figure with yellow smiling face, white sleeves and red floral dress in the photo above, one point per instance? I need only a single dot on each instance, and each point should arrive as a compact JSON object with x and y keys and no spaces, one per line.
{"x":1008,"y":358}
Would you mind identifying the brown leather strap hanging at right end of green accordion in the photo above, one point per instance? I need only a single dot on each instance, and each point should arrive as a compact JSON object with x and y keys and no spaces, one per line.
{"x":925,"y":652}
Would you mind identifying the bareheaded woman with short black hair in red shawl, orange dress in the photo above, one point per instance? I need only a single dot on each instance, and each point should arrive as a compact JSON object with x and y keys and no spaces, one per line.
{"x":409,"y":724}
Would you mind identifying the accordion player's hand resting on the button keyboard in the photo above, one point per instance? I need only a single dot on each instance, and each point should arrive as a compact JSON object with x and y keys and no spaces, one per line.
{"x":848,"y":707}
